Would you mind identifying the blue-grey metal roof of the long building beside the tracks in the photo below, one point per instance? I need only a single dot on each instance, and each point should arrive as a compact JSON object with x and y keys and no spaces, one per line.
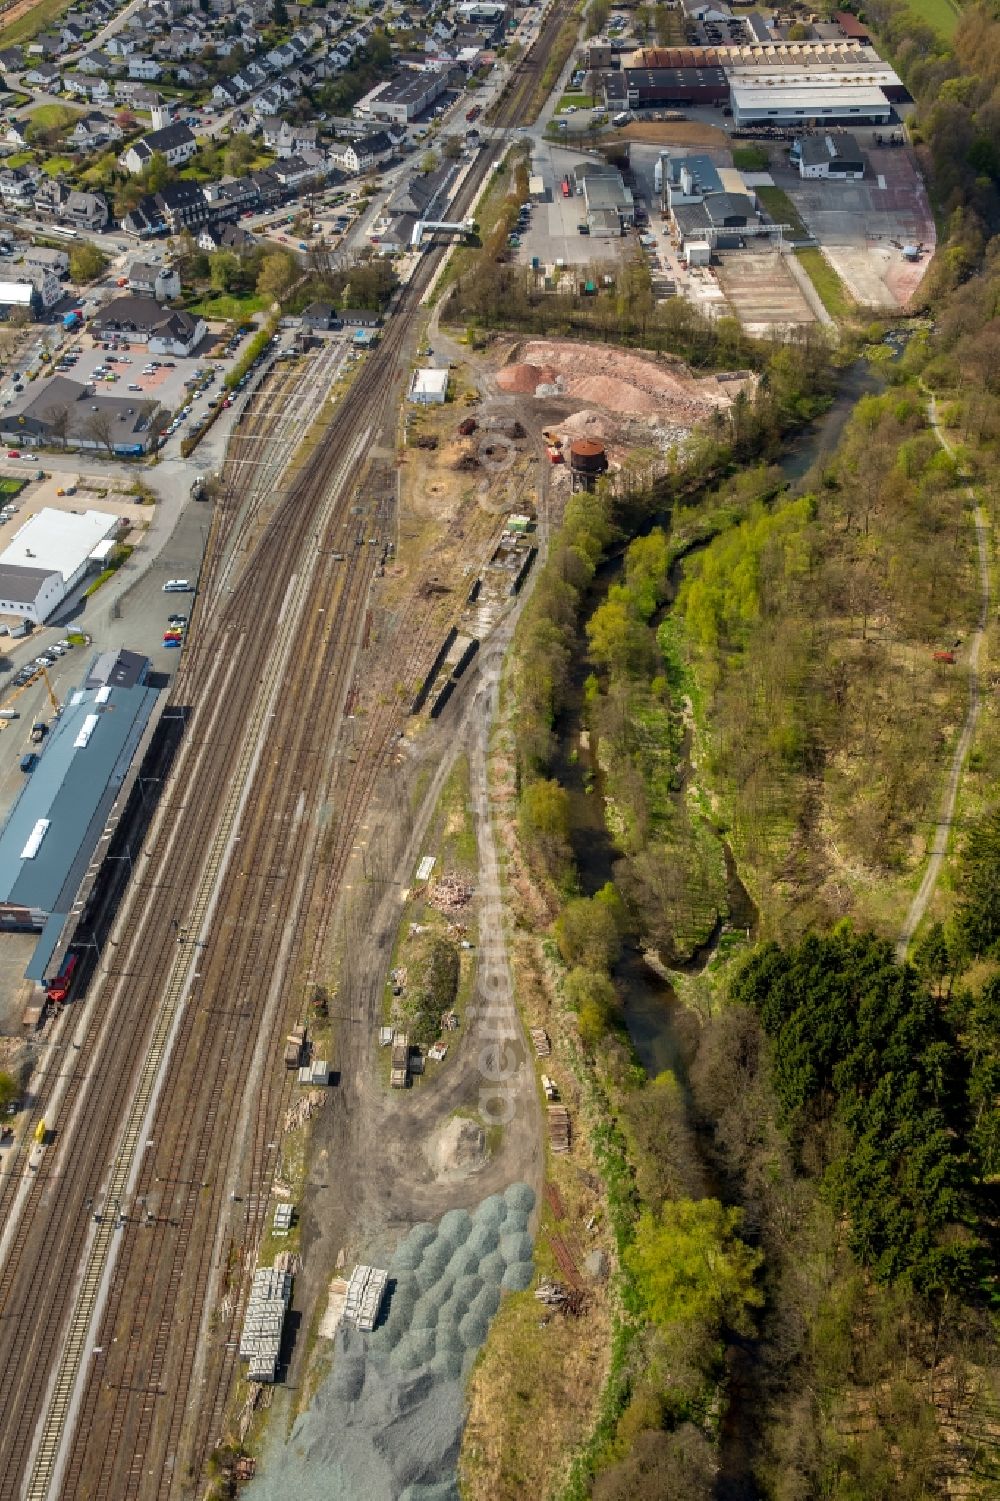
{"x":73,"y":789}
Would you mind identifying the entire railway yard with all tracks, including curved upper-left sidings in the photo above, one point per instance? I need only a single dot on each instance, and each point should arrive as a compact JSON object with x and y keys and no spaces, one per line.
{"x":127,"y":1257}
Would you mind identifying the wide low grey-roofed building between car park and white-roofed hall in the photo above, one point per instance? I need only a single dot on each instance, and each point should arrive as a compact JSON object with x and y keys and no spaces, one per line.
{"x":62,"y":411}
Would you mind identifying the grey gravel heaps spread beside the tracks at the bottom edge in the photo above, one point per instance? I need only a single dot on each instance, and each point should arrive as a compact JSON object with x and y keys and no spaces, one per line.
{"x":388,"y":1421}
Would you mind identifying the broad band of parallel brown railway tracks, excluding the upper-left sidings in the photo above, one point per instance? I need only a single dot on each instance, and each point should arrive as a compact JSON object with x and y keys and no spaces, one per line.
{"x":154,"y":1401}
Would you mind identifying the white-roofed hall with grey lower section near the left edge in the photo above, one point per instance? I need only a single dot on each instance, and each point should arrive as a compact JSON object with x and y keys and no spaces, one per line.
{"x":49,"y":558}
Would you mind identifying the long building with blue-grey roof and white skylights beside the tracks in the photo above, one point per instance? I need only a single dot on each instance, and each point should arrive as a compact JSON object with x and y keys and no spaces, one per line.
{"x":56,"y":837}
